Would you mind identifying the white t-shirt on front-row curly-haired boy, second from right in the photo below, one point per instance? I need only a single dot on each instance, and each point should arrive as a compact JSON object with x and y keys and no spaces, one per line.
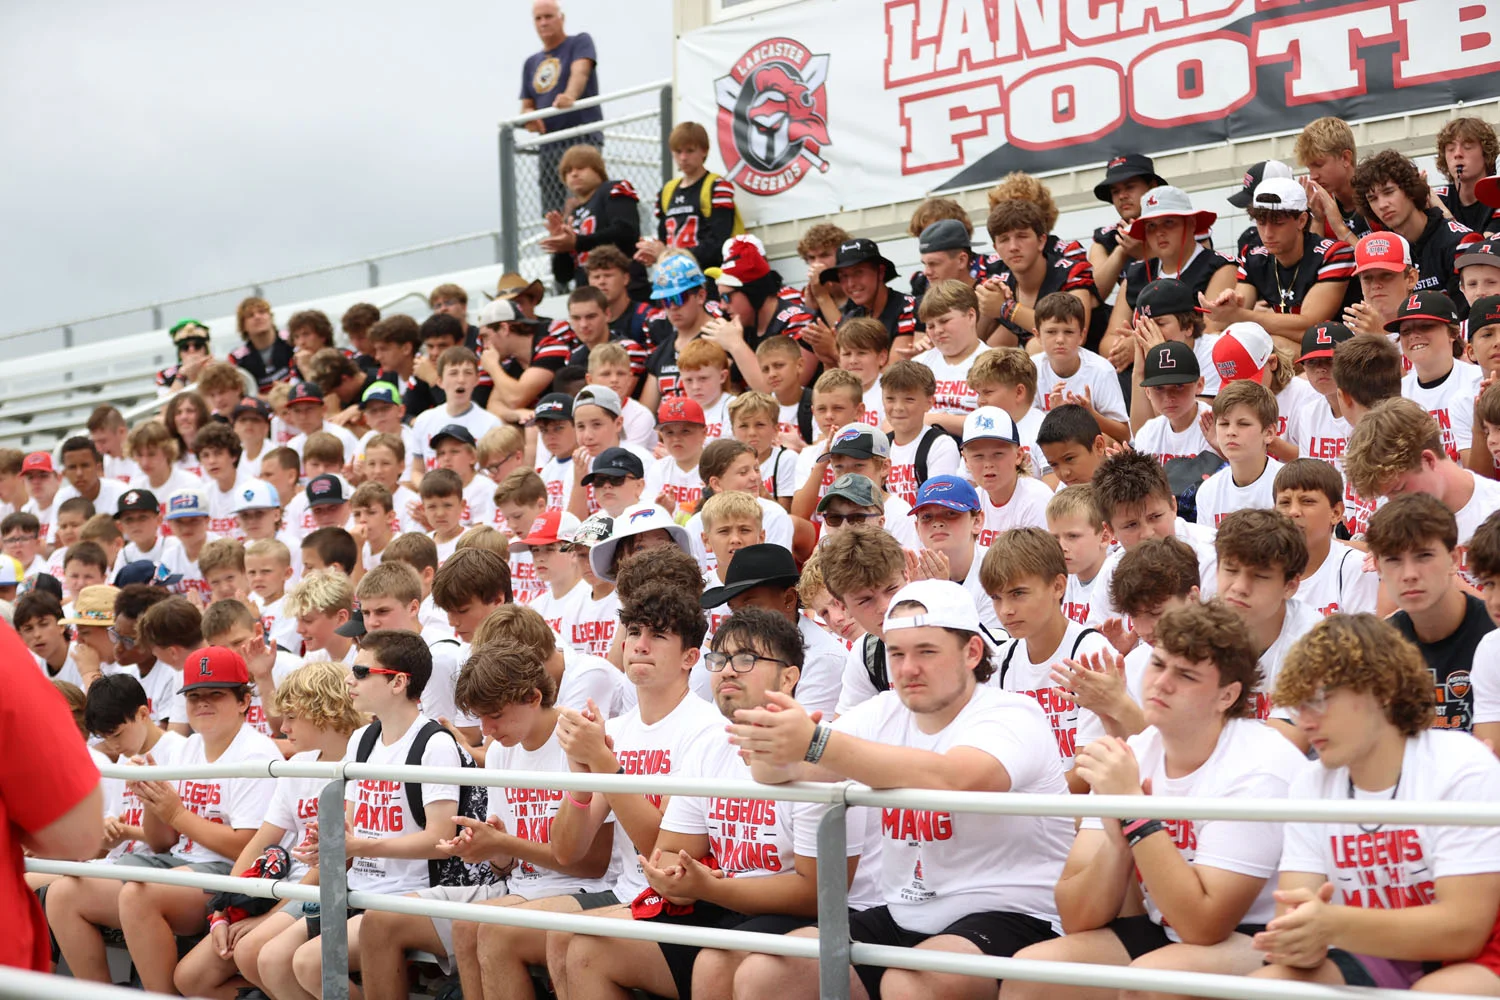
{"x":1250,"y":761}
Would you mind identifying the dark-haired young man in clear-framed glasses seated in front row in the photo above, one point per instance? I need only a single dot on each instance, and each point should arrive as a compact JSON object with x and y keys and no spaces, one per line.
{"x":766,"y":851}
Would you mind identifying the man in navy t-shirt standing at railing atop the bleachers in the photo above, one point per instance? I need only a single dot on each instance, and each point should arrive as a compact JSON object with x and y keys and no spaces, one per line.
{"x":559,"y":77}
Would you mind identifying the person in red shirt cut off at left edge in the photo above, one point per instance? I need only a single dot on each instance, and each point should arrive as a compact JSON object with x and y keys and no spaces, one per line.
{"x":50,"y":800}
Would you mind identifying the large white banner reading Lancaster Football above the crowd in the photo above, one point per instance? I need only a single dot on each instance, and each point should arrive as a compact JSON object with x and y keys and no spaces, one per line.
{"x":847,"y":104}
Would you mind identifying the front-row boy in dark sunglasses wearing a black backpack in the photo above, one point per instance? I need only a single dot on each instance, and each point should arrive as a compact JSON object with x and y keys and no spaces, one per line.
{"x":394,"y":828}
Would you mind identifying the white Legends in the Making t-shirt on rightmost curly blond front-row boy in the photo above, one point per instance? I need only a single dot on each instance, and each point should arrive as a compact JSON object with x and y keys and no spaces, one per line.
{"x":1397,"y":866}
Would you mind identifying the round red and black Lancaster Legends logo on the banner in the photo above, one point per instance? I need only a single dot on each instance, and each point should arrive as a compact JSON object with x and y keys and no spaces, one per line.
{"x":773,"y":116}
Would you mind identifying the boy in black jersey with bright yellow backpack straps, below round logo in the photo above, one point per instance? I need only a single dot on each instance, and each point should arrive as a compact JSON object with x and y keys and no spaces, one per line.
{"x":697,"y":209}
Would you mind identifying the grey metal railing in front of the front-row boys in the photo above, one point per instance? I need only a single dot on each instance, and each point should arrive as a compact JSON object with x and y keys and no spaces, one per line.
{"x":832,"y":948}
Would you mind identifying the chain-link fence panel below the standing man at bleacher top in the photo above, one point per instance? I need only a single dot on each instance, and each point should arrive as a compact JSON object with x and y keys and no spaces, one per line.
{"x":634,"y":148}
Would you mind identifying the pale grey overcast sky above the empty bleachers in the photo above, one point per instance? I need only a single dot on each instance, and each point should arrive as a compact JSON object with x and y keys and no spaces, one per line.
{"x":161,"y":148}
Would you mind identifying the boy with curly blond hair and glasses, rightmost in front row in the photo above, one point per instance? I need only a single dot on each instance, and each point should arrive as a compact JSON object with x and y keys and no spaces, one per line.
{"x":1390,"y":905}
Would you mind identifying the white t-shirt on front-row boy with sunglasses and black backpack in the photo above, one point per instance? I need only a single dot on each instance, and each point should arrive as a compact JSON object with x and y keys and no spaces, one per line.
{"x":383,"y":812}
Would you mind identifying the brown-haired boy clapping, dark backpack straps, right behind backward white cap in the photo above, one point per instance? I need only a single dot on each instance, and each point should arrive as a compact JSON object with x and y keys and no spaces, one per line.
{"x":1027,"y":576}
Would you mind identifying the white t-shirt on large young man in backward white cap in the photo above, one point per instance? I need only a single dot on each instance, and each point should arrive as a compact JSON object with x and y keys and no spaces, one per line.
{"x":938,"y":866}
